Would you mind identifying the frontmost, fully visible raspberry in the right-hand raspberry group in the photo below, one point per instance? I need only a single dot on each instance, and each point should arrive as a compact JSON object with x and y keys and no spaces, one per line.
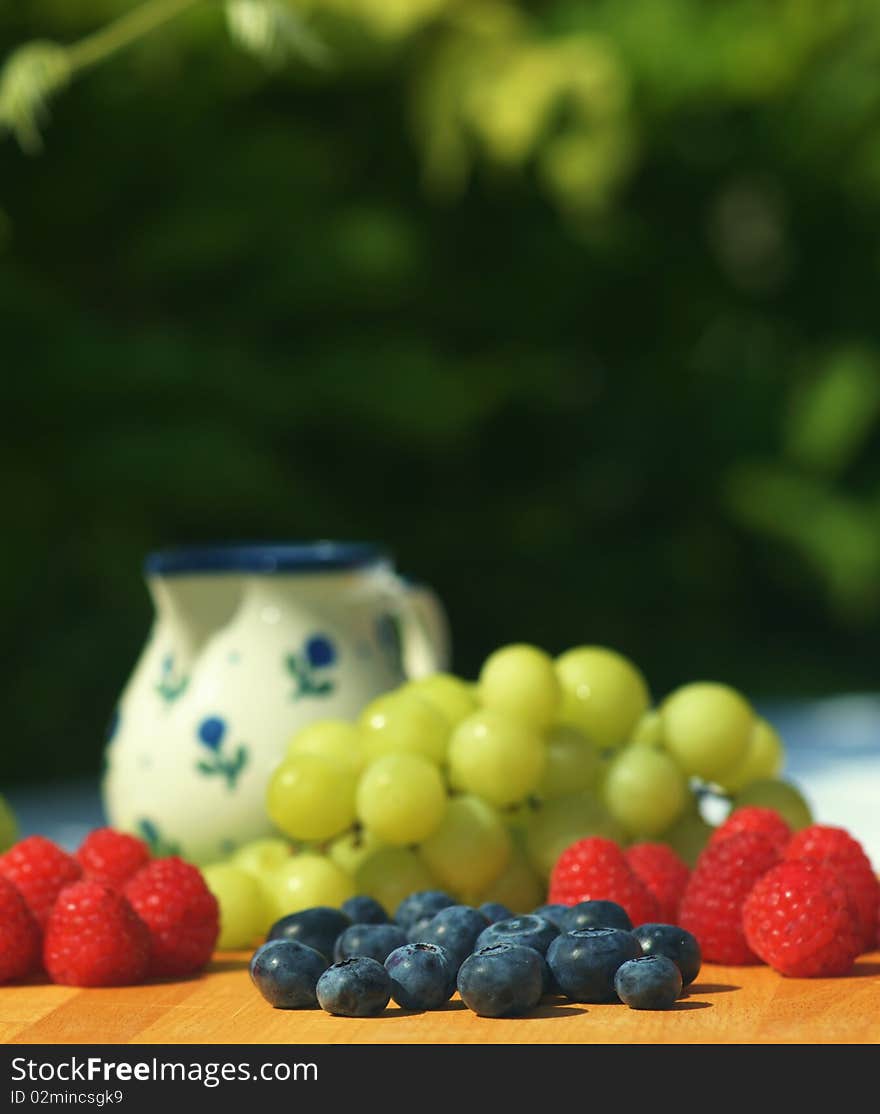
{"x":799,"y":921}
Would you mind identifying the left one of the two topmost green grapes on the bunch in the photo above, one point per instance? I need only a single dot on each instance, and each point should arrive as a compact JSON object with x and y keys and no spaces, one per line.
{"x":521,"y":681}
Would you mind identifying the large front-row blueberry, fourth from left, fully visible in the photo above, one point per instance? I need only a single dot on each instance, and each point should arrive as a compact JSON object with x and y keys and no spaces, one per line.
{"x":502,"y":981}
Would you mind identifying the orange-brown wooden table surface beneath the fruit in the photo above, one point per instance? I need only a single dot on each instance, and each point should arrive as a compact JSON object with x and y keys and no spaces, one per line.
{"x":726,"y":1005}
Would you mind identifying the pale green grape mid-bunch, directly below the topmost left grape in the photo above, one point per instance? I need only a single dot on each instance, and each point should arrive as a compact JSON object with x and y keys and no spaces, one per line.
{"x":496,"y":757}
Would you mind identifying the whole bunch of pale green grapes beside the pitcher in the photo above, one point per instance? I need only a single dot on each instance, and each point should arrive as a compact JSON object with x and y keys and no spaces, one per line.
{"x":476,"y":788}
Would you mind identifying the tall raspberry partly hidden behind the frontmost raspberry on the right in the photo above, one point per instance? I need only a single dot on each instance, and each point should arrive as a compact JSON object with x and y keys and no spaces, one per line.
{"x":712,"y":904}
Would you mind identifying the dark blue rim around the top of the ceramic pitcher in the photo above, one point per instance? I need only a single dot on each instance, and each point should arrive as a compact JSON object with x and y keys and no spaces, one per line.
{"x":319,"y":556}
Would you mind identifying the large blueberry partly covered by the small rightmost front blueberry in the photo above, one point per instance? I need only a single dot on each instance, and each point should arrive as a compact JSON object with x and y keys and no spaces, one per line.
{"x":585,"y":962}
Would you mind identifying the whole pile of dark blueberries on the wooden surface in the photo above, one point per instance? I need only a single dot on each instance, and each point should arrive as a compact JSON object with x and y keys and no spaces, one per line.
{"x":354,"y":961}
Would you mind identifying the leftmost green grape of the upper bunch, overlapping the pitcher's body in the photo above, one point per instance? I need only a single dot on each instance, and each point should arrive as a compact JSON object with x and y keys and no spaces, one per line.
{"x":310,"y":798}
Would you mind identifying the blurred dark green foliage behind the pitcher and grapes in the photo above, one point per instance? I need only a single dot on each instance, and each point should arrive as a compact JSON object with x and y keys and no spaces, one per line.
{"x":573,"y":305}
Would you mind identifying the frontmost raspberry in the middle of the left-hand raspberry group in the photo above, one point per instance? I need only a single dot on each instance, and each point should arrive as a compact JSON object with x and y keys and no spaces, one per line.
{"x":95,"y":939}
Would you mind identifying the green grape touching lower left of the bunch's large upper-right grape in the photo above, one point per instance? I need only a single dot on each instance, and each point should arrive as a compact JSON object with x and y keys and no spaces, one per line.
{"x":644,"y":790}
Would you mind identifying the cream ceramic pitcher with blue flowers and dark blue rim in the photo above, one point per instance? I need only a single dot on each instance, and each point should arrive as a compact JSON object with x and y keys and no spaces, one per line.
{"x":250,"y":643}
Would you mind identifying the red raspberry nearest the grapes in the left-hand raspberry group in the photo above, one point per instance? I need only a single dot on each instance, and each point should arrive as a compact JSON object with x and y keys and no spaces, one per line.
{"x":181,"y":912}
